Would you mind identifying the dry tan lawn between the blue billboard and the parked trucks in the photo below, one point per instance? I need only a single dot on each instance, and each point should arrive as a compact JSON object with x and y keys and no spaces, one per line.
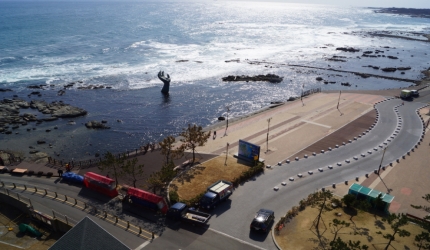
{"x":196,"y":180}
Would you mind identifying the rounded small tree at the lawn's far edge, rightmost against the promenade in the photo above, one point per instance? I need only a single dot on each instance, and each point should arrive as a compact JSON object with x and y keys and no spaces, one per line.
{"x":192,"y":137}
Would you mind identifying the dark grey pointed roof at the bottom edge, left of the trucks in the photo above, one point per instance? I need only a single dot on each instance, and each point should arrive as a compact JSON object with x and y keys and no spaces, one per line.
{"x":88,"y":235}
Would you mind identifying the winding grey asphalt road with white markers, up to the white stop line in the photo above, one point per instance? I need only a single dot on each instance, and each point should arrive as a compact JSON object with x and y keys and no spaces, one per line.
{"x":234,"y":217}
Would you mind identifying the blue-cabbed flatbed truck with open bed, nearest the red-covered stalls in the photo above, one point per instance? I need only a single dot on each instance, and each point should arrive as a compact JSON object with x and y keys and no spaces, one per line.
{"x":180,"y":212}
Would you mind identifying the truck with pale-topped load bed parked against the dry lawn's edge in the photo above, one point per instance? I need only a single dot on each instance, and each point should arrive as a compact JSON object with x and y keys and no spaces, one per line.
{"x":217,"y":192}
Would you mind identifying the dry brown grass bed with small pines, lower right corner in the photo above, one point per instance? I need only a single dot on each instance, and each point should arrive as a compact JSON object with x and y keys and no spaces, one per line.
{"x":324,"y":222}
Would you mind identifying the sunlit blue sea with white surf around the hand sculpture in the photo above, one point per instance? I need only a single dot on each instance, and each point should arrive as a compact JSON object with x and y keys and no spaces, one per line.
{"x":123,"y":45}
